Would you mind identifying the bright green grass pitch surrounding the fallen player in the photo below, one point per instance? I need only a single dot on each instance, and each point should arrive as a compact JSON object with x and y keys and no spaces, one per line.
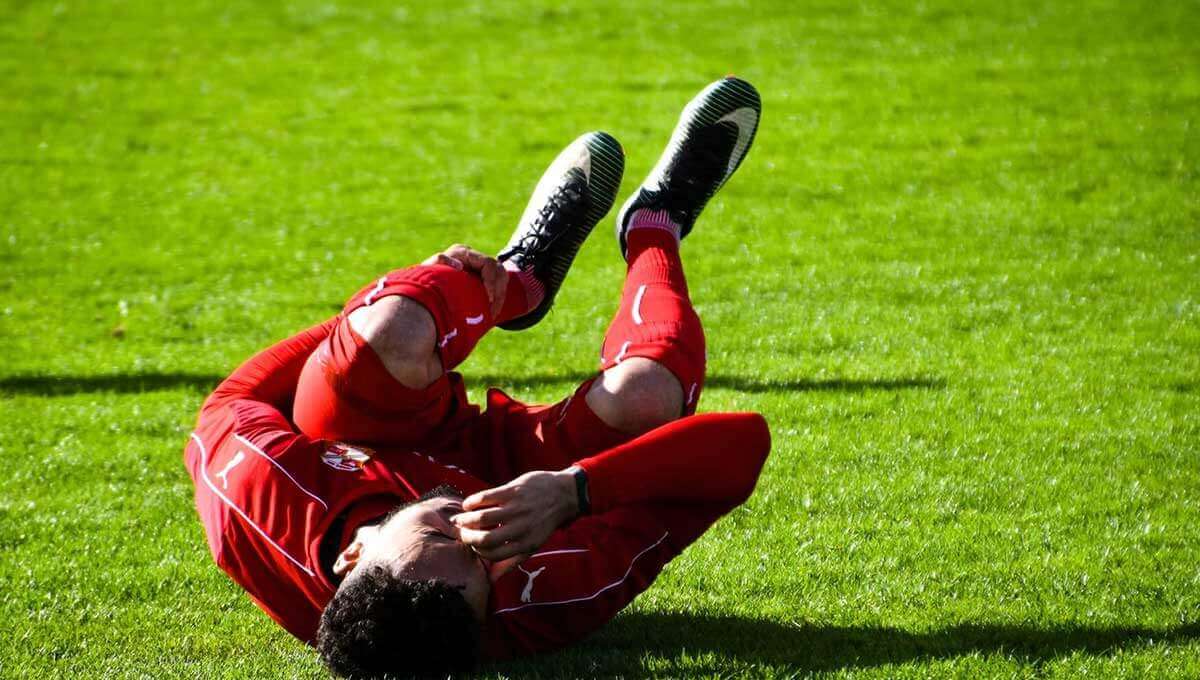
{"x":958,"y":274}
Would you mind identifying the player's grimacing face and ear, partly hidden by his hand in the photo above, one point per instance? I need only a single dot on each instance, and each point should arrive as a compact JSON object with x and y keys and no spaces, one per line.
{"x":421,"y":543}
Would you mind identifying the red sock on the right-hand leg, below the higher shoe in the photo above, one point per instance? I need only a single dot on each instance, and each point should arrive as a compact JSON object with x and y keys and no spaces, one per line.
{"x":656,"y":320}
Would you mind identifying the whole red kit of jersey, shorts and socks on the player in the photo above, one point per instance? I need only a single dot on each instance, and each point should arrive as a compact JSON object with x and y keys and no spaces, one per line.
{"x":268,"y":495}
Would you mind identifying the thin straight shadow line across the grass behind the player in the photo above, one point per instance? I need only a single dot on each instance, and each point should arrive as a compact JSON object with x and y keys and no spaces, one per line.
{"x":135,"y":383}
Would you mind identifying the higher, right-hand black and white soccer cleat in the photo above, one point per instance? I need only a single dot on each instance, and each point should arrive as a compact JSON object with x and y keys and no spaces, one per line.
{"x":713,"y":136}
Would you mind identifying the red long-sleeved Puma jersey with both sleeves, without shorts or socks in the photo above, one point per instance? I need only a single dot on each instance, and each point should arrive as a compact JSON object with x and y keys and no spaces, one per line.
{"x":268,"y":496}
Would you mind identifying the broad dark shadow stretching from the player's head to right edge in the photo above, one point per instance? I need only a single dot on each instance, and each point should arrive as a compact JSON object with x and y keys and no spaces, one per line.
{"x":711,"y":645}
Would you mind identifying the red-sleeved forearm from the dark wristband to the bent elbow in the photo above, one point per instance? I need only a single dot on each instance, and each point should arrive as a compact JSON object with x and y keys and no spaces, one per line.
{"x":713,"y":459}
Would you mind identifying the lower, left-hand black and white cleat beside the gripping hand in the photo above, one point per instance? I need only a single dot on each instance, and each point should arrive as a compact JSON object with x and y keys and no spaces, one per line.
{"x":577,"y":191}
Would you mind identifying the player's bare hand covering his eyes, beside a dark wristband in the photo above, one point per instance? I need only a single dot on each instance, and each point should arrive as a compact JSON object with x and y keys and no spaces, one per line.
{"x":517,"y":519}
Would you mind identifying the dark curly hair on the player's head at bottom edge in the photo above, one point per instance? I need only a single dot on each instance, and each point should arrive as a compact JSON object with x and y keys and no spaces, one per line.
{"x":381,"y":624}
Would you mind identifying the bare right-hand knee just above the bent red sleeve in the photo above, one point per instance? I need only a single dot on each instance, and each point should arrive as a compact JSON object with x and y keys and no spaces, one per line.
{"x":637,"y":396}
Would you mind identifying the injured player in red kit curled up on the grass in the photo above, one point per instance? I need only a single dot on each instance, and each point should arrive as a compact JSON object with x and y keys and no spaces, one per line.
{"x":440,"y":533}
